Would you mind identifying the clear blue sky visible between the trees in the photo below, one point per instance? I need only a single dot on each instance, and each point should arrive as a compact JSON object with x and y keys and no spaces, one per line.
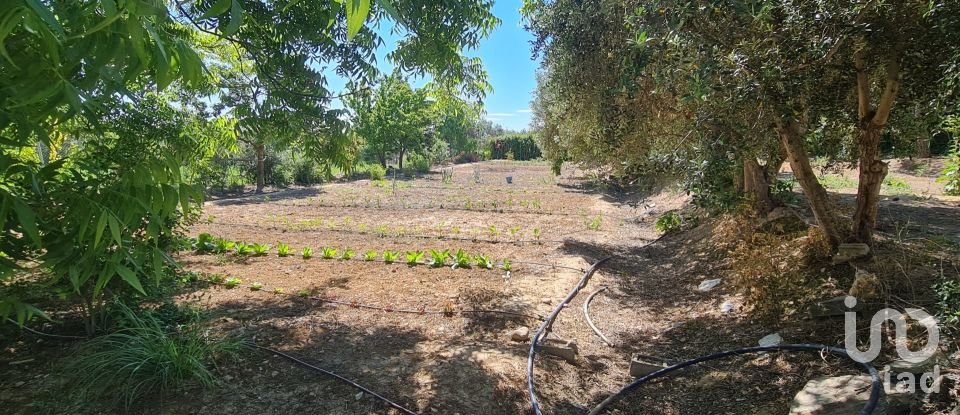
{"x":506,"y":56}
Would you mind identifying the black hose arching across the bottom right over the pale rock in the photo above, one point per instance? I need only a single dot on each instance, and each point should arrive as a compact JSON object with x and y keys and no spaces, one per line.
{"x":875,"y":385}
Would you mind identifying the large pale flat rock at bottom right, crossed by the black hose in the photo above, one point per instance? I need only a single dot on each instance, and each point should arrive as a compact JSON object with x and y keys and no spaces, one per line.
{"x":846,"y":395}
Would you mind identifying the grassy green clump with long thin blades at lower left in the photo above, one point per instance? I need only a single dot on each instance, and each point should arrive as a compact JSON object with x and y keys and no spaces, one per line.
{"x":144,"y":359}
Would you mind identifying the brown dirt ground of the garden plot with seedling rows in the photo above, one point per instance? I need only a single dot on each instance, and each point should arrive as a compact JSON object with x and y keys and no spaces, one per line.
{"x":550,"y":228}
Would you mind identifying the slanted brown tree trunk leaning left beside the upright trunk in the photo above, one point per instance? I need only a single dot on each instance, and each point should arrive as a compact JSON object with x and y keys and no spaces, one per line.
{"x":792,"y":142}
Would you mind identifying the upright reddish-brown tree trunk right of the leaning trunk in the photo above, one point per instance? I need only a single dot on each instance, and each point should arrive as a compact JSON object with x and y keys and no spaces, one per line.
{"x":872,"y":172}
